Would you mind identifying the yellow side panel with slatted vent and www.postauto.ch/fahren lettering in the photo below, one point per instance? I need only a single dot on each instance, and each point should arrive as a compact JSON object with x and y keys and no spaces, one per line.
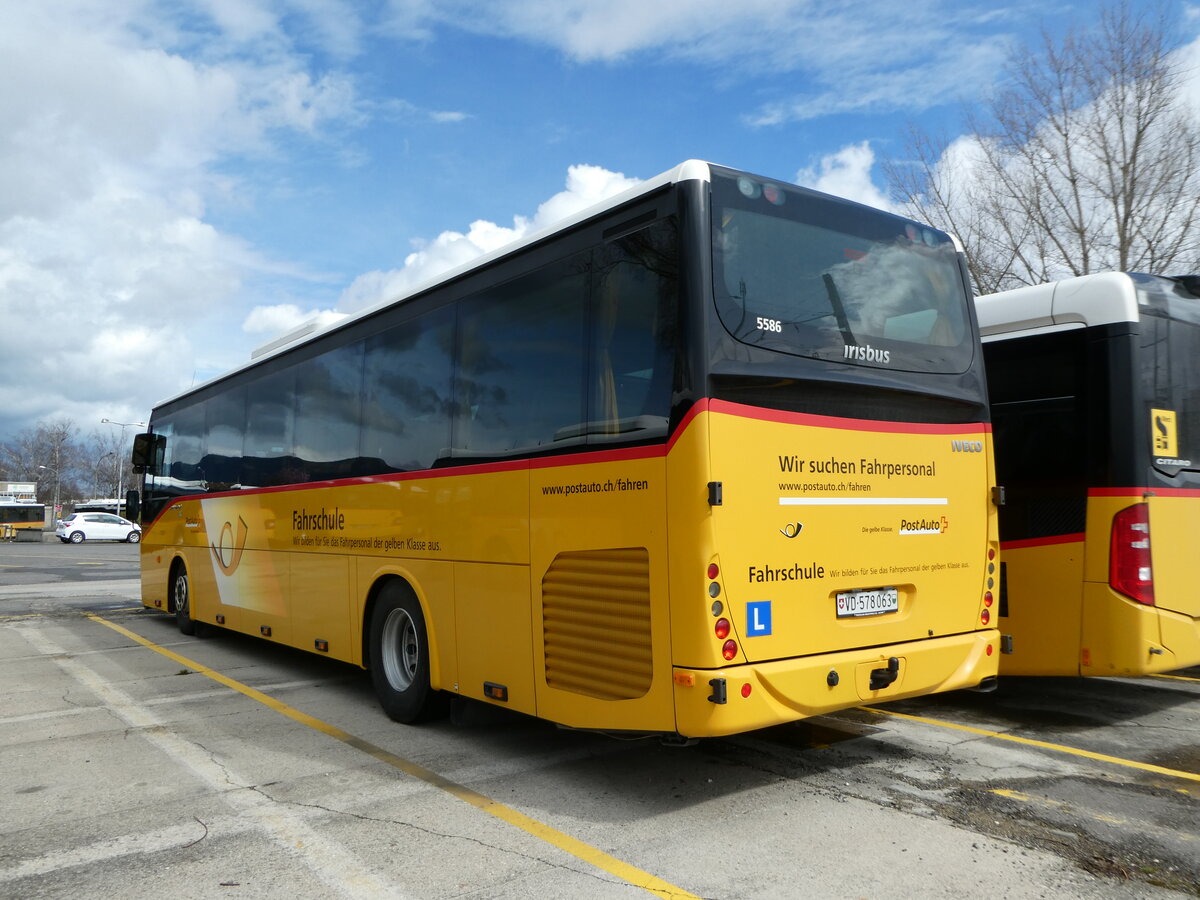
{"x":602,"y":631}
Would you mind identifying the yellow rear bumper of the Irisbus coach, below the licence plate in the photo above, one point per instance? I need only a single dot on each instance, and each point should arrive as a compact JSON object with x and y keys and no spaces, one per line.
{"x":758,"y":695}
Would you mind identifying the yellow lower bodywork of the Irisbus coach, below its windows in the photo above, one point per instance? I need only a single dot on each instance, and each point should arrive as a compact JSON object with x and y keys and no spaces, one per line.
{"x":578,"y":589}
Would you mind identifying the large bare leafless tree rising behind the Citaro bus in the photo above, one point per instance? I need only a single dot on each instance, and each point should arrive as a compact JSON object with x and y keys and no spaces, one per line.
{"x":1085,"y":161}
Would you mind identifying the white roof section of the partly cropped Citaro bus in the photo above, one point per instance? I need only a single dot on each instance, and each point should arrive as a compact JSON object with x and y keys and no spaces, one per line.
{"x":1072,"y":303}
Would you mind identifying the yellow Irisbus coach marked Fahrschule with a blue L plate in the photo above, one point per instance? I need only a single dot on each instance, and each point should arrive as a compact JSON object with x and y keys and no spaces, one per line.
{"x":710,"y":458}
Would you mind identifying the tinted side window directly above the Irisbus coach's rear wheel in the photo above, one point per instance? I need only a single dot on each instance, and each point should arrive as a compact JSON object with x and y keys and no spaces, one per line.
{"x":406,"y":405}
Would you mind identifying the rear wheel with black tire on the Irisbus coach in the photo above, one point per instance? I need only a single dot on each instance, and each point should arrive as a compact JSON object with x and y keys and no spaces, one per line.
{"x":400,"y":658}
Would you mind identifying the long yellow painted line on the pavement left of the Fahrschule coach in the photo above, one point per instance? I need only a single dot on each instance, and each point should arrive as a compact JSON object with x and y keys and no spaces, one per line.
{"x":574,"y":847}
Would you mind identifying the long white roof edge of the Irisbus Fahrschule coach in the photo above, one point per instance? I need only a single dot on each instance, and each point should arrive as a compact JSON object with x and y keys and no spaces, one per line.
{"x":687,"y":171}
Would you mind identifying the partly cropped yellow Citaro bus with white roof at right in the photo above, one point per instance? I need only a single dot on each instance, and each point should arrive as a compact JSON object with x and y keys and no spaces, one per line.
{"x":1094,"y":392}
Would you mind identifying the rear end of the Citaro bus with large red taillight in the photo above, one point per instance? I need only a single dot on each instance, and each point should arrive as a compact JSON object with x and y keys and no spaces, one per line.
{"x":1142,"y":609}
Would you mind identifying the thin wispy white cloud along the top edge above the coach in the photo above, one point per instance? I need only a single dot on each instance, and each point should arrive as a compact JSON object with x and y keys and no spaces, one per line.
{"x":857,"y":55}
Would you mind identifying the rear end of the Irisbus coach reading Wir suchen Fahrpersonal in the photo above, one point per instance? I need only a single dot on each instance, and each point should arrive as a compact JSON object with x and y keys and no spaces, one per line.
{"x":849,"y":537}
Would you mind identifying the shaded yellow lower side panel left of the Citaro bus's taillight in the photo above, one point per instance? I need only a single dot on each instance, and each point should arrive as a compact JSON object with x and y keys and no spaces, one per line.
{"x":1045,"y":605}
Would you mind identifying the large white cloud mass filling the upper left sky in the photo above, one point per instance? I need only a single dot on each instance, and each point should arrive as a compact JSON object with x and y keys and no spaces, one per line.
{"x":112,"y":283}
